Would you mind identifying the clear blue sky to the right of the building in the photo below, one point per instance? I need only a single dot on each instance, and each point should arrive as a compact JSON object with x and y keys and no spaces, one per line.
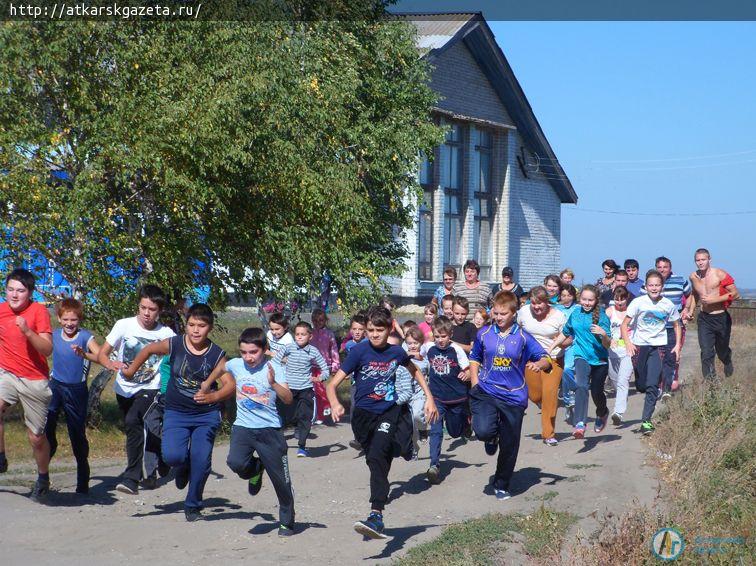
{"x":647,"y":117}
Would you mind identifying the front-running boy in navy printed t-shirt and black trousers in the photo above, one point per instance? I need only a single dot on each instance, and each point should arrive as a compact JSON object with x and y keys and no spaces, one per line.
{"x":374,"y":421}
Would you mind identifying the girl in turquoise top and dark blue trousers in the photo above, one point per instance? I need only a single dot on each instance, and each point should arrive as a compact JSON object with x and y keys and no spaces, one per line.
{"x":589,"y":327}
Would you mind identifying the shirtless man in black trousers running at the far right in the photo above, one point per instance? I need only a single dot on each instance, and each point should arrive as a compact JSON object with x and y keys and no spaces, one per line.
{"x":715,"y":290}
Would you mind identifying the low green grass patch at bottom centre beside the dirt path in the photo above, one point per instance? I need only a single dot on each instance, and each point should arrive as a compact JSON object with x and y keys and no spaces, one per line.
{"x":478,"y":541}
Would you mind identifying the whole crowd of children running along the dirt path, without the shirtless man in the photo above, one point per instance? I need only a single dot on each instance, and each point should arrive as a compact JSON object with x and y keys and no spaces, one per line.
{"x":458,"y":372}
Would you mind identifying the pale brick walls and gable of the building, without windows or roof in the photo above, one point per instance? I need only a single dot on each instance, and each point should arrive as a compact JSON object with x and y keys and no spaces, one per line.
{"x":527,"y":211}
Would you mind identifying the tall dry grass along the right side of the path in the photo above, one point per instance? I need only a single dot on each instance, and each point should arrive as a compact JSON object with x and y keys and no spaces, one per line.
{"x":706,"y":448}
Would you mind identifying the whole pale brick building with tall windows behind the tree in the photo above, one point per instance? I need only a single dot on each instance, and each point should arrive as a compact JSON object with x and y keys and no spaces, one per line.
{"x":494,"y":190}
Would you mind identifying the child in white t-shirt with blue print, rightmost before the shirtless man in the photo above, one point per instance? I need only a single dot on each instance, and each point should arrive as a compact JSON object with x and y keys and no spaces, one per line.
{"x":648,"y":315}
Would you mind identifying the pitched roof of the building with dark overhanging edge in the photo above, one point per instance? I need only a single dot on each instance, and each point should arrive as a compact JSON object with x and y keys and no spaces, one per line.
{"x":437,"y":31}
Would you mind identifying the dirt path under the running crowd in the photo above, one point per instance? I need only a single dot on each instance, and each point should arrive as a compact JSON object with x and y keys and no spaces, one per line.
{"x":603,"y":473}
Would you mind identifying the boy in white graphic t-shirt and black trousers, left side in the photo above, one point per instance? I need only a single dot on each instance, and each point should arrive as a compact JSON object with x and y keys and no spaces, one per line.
{"x":135,"y":395}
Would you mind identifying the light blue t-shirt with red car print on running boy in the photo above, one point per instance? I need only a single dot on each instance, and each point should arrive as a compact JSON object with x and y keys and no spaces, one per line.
{"x":255,"y":398}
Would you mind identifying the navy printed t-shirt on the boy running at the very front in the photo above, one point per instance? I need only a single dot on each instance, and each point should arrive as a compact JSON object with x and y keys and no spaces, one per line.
{"x":374,"y":375}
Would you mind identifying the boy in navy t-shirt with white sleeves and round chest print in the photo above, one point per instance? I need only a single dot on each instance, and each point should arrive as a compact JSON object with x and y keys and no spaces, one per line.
{"x":448,"y":381}
